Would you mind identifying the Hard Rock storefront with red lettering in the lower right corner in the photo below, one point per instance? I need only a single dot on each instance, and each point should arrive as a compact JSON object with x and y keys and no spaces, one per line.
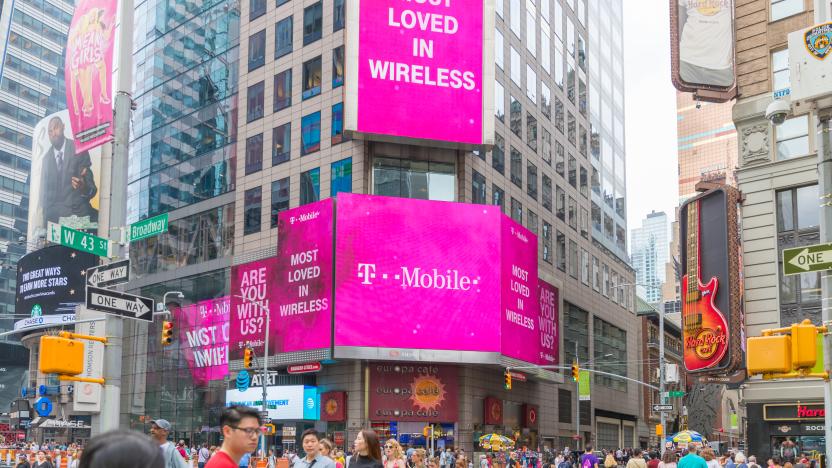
{"x":787,"y":430}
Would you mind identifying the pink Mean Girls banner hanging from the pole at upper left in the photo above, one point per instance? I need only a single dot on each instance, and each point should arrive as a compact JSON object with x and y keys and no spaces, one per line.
{"x":88,"y":71}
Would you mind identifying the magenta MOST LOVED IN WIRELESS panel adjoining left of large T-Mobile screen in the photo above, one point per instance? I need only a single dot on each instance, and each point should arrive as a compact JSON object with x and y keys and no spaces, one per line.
{"x":302,"y":292}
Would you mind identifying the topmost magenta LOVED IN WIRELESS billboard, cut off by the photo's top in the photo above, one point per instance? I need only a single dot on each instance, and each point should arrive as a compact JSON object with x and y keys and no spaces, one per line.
{"x":420,"y":70}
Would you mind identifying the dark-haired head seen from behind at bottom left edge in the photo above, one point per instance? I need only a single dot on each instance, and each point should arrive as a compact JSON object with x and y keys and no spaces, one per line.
{"x":121,"y":449}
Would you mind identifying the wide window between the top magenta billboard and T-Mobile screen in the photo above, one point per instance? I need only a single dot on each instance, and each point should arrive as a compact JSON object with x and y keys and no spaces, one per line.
{"x":424,"y":180}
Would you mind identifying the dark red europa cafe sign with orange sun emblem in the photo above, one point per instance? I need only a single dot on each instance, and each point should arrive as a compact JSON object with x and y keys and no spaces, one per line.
{"x":413,"y":392}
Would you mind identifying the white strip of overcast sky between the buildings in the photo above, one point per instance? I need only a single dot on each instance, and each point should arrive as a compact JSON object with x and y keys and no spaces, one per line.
{"x":650,"y":112}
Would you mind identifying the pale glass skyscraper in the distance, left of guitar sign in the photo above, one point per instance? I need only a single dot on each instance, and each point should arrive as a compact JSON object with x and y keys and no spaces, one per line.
{"x":650,"y":253}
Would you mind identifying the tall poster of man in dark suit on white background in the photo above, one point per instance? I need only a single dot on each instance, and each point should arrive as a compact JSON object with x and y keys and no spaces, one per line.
{"x":63,"y":183}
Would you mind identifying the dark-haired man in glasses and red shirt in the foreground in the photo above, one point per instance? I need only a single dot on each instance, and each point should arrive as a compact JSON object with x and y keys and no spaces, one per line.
{"x":240,"y":427}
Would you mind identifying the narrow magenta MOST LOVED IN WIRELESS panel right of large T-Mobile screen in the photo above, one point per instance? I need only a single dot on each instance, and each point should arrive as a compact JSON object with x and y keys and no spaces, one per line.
{"x":520,"y":305}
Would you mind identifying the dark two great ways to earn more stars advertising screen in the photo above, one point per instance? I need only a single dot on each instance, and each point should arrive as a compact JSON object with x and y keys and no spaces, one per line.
{"x":51,"y":281}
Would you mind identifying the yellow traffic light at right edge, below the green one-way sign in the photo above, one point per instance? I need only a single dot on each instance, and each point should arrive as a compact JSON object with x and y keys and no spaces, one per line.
{"x":785,"y":352}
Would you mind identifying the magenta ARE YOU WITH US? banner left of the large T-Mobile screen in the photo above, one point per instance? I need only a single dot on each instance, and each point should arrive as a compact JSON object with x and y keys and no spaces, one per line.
{"x":250,"y":298}
